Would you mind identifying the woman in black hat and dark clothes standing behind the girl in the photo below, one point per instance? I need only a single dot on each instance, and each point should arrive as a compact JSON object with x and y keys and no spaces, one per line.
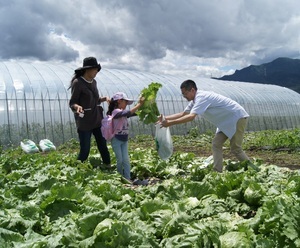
{"x":85,"y":103}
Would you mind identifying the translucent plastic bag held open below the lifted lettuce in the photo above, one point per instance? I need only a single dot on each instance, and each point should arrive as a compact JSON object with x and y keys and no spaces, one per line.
{"x":163,"y":141}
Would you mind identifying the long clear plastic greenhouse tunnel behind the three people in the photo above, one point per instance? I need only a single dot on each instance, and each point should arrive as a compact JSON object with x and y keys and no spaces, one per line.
{"x":34,"y":101}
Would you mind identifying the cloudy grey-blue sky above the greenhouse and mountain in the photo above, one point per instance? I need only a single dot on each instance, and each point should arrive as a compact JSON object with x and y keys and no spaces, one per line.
{"x":191,"y":37}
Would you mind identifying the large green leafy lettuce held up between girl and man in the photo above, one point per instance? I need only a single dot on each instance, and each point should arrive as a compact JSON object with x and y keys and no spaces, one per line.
{"x":148,"y":112}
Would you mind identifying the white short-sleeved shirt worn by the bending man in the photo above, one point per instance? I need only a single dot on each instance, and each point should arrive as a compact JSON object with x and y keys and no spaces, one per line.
{"x":221,"y":111}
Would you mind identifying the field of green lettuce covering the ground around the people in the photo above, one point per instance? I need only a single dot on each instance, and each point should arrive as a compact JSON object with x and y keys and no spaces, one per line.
{"x":52,"y":200}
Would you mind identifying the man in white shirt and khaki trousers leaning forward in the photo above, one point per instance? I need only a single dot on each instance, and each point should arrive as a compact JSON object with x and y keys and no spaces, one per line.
{"x":228,"y":116}
